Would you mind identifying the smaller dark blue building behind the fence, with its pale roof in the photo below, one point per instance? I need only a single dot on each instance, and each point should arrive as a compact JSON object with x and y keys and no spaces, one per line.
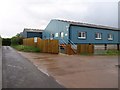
{"x":30,"y":33}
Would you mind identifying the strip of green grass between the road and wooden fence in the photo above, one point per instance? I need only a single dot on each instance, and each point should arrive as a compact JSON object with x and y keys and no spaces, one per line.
{"x":26,"y":48}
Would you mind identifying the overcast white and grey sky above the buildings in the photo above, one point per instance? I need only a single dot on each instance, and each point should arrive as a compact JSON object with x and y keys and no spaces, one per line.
{"x":15,"y":15}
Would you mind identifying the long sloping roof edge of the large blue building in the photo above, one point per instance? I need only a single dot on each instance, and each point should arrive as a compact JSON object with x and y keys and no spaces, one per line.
{"x":88,"y":25}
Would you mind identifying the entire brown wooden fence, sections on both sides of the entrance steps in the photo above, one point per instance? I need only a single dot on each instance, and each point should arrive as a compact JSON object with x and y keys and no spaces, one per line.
{"x":52,"y":46}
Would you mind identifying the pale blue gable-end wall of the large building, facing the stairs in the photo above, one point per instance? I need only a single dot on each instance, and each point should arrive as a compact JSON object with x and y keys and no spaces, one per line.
{"x":55,"y":27}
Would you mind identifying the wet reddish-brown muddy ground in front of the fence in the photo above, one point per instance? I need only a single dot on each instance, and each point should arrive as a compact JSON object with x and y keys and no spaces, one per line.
{"x":77,"y":71}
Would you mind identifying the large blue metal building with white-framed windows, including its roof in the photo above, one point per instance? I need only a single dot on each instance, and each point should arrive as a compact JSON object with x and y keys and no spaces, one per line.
{"x":80,"y":33}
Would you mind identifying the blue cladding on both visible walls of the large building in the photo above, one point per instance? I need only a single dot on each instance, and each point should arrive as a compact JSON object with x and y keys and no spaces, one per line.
{"x":58,"y":26}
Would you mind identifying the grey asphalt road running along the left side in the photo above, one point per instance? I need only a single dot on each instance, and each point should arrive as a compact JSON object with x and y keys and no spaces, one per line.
{"x":18,"y":72}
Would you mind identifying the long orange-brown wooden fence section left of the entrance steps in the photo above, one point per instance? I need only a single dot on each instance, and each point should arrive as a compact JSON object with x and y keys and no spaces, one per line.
{"x":46,"y":46}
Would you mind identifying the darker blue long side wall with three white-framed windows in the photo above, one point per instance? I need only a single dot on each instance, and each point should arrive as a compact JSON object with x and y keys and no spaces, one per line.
{"x":91,"y":35}
